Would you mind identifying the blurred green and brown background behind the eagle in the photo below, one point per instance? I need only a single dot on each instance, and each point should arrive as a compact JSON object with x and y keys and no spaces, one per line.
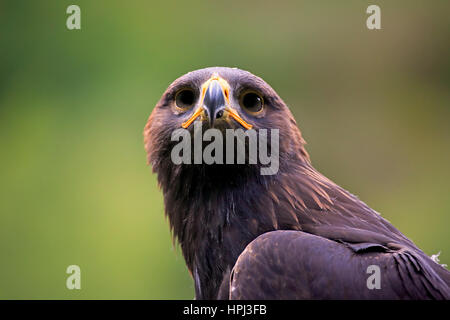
{"x":374,"y":107}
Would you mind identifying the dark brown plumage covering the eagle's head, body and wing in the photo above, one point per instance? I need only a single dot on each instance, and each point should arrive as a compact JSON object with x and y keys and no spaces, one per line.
{"x":292,"y":235}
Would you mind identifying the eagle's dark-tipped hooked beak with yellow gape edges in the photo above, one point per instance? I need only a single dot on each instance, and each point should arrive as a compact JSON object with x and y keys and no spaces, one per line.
{"x":215,"y":103}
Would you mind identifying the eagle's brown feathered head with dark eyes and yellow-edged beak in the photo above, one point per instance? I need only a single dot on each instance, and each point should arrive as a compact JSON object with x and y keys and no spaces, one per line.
{"x":222,"y":99}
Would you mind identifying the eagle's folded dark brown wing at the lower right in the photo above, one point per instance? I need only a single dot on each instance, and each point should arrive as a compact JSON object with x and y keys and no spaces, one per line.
{"x":299,"y":265}
